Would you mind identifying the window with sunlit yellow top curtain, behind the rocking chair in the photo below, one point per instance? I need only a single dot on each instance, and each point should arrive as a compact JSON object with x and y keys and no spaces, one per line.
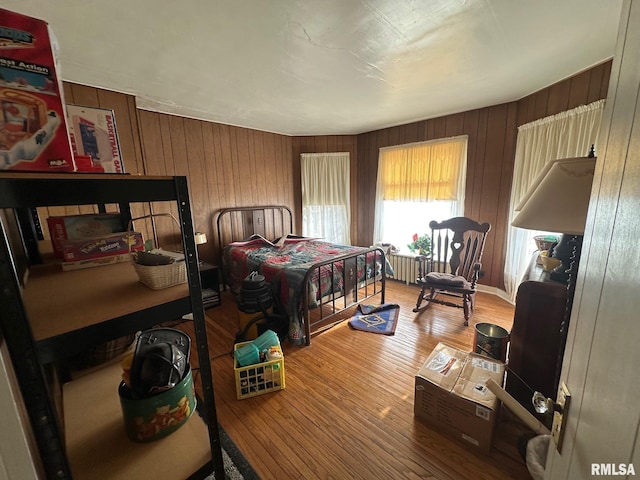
{"x":417,"y":183}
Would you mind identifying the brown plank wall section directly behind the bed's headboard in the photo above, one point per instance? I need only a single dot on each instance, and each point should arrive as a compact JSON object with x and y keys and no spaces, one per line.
{"x":226,"y":166}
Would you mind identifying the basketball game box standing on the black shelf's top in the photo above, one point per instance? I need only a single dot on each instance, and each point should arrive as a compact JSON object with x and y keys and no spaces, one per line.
{"x":94,"y":139}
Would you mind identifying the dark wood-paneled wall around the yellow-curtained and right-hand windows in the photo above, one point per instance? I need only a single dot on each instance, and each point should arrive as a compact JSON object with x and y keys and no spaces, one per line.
{"x":492,"y":133}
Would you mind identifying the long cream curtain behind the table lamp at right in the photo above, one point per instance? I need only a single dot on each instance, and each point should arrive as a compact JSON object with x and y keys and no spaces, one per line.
{"x":565,"y":135}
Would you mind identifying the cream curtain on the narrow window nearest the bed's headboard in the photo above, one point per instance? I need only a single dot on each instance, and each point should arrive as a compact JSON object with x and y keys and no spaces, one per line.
{"x":326,"y":204}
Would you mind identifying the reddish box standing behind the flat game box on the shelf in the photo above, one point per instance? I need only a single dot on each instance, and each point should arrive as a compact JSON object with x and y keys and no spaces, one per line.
{"x":73,"y":228}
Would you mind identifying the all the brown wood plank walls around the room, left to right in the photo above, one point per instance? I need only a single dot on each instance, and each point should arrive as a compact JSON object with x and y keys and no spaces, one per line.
{"x":231,"y":166}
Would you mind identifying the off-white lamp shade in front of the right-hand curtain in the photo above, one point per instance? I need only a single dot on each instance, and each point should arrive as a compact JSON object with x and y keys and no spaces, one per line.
{"x":558,"y":200}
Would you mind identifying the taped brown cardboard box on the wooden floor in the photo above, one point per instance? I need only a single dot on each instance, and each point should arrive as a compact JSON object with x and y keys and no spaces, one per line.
{"x":450,"y":393}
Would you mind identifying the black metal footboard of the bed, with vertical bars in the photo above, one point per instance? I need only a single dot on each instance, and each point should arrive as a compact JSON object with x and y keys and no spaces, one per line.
{"x":353,"y":278}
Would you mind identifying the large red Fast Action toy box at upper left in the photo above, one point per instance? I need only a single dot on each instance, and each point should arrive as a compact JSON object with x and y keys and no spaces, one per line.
{"x":33,"y":127}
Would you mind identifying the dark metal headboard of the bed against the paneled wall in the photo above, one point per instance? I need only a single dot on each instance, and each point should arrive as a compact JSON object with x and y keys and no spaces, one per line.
{"x":239,"y":223}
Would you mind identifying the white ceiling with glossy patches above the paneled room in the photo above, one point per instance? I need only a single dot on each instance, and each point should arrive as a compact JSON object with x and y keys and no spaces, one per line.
{"x":314,"y":67}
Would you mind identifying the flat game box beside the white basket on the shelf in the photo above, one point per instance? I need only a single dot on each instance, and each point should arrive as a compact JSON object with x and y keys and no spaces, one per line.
{"x":114,"y":244}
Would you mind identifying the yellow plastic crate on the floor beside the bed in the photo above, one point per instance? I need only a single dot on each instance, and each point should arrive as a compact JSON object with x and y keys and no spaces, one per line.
{"x":259,"y":378}
